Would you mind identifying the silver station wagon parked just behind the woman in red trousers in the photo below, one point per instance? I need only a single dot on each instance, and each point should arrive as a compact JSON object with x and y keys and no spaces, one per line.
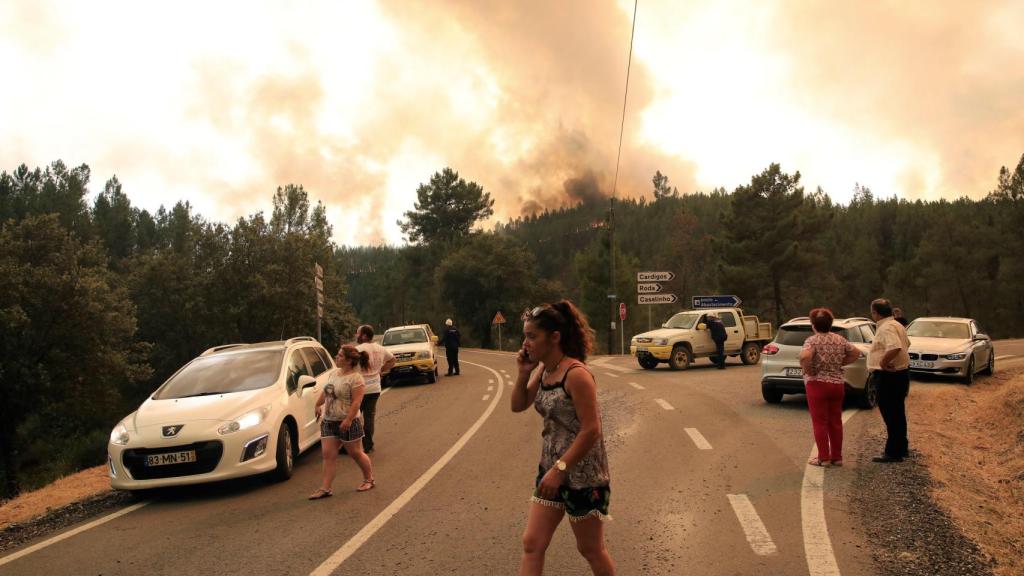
{"x":781,"y":372}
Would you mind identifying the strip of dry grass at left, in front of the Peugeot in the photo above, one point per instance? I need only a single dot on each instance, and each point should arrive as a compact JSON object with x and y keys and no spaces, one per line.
{"x":70,"y":489}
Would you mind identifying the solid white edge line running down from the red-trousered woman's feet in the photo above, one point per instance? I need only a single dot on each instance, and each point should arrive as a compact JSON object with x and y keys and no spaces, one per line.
{"x":818,"y":545}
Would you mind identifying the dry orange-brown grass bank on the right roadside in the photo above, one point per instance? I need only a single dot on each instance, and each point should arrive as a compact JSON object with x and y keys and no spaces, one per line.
{"x":973,"y":441}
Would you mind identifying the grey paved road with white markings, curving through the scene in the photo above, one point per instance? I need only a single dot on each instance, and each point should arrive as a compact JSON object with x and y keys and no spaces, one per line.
{"x":692,"y":455}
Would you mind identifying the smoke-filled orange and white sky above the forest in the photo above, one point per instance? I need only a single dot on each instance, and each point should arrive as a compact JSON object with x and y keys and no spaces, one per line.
{"x":220,"y":103}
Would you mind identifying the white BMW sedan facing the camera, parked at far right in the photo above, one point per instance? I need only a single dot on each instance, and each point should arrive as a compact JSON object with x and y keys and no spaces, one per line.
{"x":951,"y":347}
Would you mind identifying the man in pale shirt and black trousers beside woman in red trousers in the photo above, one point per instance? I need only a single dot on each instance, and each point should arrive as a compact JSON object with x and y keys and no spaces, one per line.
{"x":889,"y":363}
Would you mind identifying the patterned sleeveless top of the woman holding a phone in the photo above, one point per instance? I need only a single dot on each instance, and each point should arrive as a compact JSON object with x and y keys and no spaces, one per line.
{"x":561,"y":429}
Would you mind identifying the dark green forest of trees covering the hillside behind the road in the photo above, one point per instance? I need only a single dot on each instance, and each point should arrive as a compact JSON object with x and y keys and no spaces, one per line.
{"x":101,"y":302}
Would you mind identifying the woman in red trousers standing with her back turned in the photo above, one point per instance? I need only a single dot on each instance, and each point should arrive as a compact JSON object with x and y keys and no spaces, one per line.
{"x":823,"y":359}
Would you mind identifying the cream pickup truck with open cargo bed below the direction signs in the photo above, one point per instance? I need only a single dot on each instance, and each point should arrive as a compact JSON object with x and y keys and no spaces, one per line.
{"x":686,"y":338}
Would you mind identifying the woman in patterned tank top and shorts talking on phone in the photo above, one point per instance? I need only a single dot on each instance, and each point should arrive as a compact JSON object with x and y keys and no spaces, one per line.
{"x":573,"y":477}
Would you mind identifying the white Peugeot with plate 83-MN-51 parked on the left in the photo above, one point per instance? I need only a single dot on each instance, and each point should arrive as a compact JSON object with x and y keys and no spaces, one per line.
{"x":236,"y":410}
